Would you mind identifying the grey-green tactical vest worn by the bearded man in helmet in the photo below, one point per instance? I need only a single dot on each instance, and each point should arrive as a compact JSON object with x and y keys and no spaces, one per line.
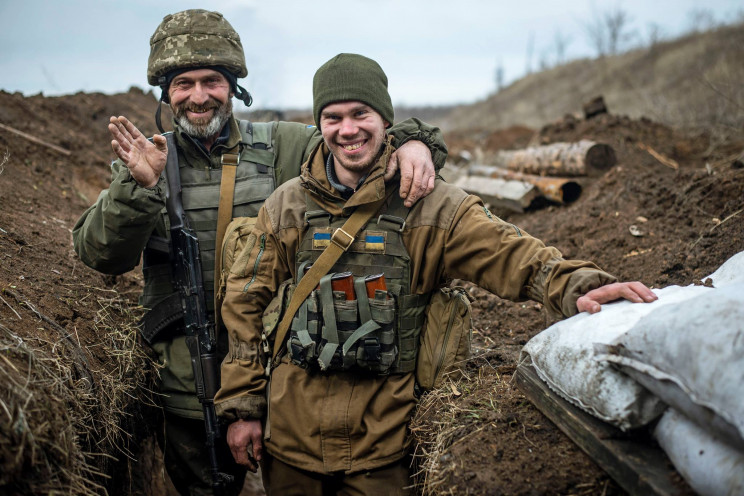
{"x":254,"y":182}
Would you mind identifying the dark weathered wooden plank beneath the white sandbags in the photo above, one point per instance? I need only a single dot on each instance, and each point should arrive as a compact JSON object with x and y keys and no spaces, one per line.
{"x":633,"y":460}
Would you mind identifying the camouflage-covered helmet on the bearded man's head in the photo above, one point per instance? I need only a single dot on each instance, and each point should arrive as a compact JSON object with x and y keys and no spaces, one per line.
{"x":192,"y":39}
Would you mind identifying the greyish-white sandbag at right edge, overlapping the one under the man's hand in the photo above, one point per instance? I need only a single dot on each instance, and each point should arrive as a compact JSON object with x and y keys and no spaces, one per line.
{"x":691,"y":355}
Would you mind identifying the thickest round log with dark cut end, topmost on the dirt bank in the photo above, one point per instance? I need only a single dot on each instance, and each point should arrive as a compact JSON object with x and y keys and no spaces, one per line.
{"x":584,"y":158}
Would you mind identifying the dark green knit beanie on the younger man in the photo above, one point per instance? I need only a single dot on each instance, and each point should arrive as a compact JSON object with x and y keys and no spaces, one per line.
{"x":351,"y":77}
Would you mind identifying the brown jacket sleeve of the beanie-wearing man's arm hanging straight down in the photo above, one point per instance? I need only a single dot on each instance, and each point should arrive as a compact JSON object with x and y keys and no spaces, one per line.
{"x":254,"y":279}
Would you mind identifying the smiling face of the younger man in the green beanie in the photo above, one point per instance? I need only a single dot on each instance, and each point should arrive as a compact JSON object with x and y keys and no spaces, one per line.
{"x":355,"y":133}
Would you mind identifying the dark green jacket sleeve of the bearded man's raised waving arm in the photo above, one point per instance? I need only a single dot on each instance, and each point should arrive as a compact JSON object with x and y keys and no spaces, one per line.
{"x":111,"y":234}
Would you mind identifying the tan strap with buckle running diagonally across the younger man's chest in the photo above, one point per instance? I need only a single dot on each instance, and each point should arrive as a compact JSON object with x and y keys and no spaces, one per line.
{"x":341,"y":240}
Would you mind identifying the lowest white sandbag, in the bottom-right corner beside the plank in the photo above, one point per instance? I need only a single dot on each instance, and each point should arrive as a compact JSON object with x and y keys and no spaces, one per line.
{"x":710,"y":467}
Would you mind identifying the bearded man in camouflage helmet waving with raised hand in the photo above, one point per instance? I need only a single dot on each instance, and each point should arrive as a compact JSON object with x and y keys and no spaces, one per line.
{"x":196,"y":58}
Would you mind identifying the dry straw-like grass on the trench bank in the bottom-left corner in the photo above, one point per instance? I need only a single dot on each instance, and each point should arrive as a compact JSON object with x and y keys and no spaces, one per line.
{"x":61,"y":416}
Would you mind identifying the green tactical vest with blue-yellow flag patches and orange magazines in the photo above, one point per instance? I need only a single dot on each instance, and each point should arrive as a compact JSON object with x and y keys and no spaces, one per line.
{"x":362,"y":328}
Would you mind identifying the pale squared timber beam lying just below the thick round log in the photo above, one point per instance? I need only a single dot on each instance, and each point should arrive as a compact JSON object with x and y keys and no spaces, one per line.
{"x":513,"y":195}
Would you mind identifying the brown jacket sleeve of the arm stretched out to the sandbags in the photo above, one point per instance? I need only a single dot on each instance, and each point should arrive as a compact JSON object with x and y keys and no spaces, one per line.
{"x":510,"y":263}
